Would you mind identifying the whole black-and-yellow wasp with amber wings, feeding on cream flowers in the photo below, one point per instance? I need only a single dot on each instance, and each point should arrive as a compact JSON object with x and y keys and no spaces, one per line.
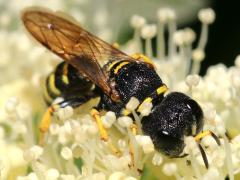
{"x":116,"y":77}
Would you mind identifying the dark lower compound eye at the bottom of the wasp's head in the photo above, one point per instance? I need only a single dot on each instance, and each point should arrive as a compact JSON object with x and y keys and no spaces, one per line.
{"x":167,"y":144}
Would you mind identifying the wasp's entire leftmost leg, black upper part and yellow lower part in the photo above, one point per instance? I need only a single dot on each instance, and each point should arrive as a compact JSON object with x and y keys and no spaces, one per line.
{"x":46,"y":120}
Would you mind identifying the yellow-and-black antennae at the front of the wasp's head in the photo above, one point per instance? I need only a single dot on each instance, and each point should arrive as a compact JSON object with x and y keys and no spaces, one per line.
{"x":198,"y":139}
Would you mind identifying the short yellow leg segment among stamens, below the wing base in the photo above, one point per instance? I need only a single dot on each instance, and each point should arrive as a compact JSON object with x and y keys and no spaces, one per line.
{"x":103,"y":133}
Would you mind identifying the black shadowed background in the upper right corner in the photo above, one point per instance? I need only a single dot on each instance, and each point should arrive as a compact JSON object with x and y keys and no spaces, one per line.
{"x":224,"y":34}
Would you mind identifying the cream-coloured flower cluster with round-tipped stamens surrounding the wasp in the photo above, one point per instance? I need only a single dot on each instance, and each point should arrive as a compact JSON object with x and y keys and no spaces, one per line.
{"x":73,"y":148}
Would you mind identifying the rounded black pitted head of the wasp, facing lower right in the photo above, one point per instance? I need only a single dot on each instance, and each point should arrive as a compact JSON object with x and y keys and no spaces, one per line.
{"x":170,"y":120}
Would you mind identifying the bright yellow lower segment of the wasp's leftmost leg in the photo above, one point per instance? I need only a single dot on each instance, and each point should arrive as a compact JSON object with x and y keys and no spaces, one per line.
{"x":45,"y":123}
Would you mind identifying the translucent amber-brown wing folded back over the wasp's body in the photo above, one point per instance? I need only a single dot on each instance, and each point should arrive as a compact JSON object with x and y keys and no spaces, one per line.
{"x":75,"y":45}
